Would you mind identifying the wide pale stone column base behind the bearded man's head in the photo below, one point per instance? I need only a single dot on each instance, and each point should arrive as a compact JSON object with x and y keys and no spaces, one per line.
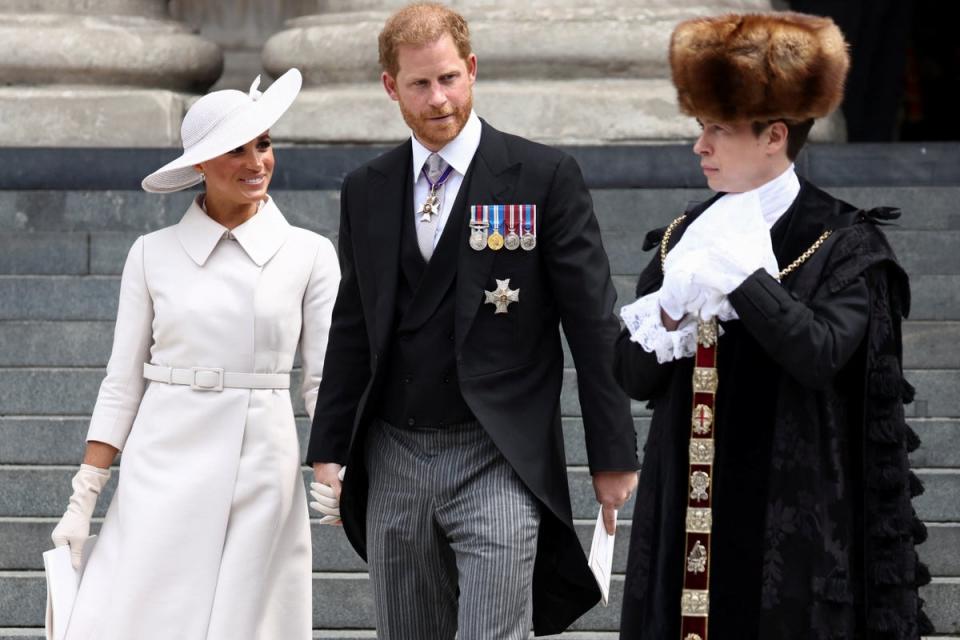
{"x":557,"y":71}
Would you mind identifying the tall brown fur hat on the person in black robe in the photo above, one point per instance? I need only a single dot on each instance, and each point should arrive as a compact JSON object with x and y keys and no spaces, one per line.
{"x":759,"y":67}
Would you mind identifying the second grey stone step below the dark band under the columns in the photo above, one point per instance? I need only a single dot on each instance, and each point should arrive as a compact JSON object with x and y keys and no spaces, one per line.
{"x":925,"y":252}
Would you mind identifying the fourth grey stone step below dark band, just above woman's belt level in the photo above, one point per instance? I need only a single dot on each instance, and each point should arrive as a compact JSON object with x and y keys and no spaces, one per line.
{"x":78,"y":343}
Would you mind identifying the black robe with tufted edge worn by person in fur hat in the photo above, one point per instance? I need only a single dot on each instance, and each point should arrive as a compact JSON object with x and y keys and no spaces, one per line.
{"x":813,"y":532}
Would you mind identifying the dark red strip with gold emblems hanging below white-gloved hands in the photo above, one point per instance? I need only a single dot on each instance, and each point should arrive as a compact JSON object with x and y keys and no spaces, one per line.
{"x":695,"y":600}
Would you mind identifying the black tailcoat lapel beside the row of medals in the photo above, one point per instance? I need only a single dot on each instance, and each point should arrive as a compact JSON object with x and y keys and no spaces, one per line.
{"x":493,"y":181}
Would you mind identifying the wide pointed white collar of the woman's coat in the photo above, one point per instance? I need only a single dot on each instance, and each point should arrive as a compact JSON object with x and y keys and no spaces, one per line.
{"x":260,"y":237}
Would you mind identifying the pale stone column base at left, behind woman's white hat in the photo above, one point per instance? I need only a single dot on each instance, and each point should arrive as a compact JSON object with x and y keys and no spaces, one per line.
{"x":113,"y":73}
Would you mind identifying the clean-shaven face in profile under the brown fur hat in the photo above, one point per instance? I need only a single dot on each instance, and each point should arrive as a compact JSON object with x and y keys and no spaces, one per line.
{"x":734,"y":159}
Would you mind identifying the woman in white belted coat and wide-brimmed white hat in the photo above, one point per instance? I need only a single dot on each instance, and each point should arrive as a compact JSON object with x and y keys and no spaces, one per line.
{"x":207,"y":536}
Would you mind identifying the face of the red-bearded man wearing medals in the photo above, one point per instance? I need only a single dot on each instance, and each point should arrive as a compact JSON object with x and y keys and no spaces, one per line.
{"x":434,"y":88}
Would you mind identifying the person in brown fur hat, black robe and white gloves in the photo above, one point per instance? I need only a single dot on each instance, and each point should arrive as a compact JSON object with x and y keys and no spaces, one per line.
{"x":775,"y":494}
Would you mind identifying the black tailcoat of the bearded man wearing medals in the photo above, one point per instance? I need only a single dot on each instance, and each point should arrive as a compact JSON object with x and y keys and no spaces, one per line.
{"x":509,"y":366}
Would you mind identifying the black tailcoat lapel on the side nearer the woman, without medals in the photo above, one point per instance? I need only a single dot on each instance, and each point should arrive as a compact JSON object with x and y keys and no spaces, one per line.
{"x":387,"y":202}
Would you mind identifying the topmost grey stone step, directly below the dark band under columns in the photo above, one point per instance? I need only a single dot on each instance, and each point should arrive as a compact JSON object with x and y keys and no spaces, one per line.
{"x":631,"y":210}
